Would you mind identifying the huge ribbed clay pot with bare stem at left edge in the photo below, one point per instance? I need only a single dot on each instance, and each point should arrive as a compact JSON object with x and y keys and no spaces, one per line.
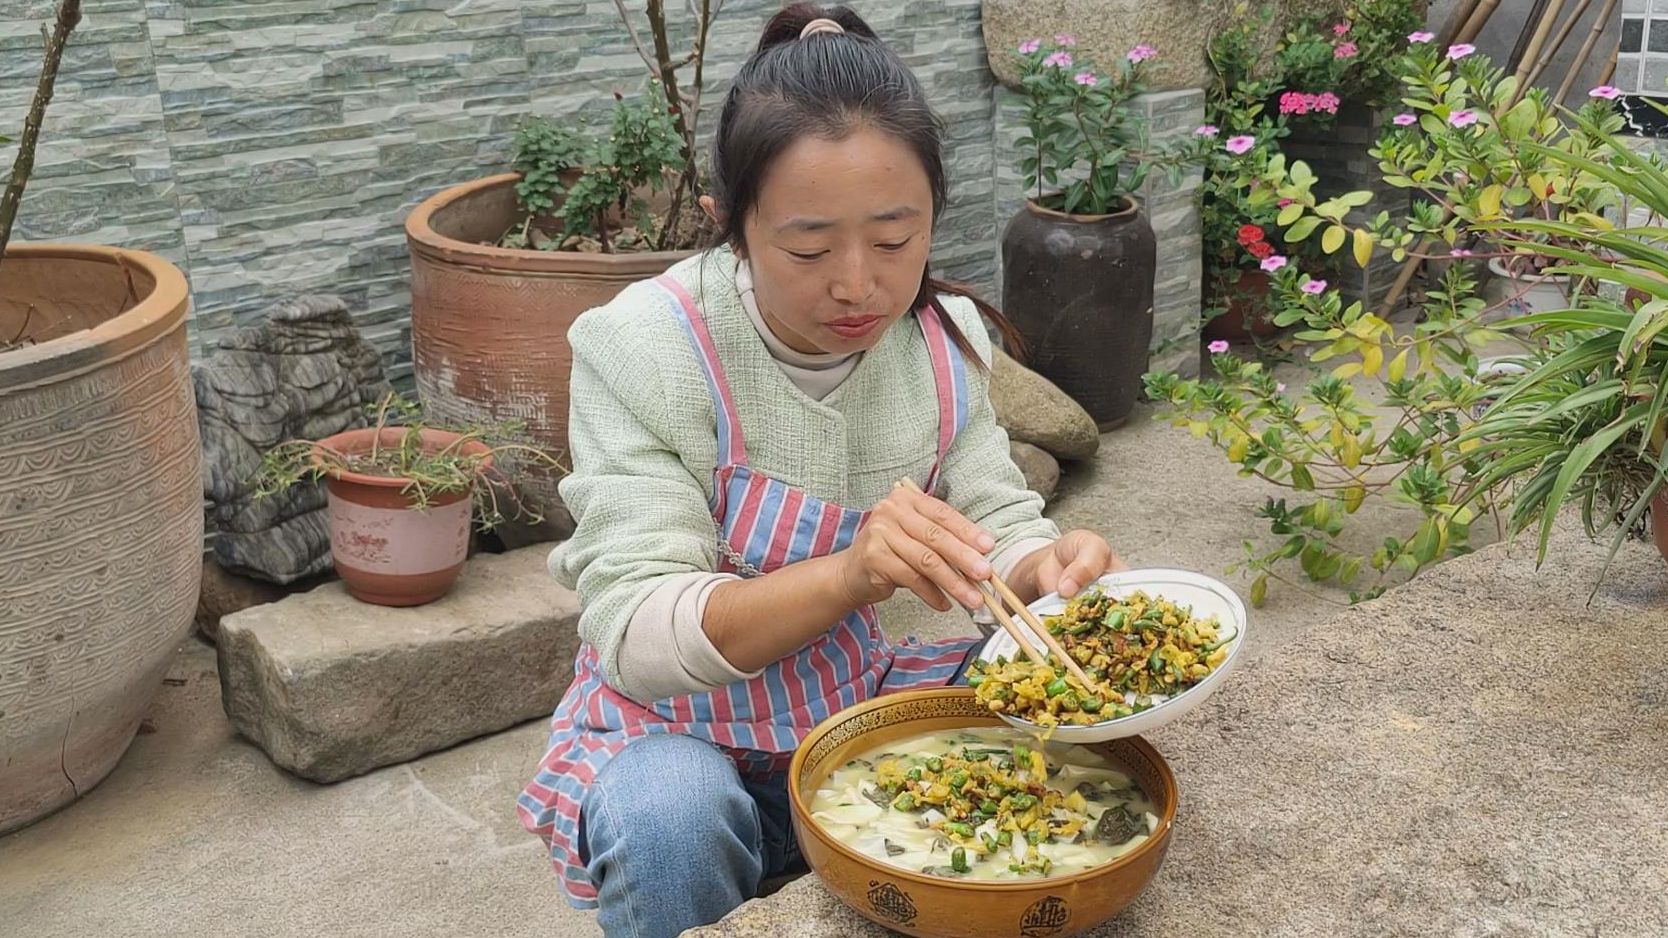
{"x":101,"y":493}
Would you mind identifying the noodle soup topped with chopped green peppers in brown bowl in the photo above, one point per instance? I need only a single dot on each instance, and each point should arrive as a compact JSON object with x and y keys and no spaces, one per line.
{"x":985,"y":805}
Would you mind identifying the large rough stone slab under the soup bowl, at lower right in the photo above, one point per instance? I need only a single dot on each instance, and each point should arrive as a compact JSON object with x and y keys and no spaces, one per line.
{"x":1477,"y":747}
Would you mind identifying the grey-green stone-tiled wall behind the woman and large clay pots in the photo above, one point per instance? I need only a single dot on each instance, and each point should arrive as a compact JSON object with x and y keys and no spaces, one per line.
{"x":278,"y":151}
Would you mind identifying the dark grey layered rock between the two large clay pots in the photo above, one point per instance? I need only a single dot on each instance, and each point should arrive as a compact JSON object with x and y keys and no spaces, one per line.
{"x":301,"y":375}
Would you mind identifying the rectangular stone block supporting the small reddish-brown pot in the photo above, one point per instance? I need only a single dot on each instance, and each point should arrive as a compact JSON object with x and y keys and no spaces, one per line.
{"x":333,"y":688}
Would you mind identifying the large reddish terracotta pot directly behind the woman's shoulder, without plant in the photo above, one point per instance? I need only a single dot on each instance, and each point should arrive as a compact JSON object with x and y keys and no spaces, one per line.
{"x":490,"y":325}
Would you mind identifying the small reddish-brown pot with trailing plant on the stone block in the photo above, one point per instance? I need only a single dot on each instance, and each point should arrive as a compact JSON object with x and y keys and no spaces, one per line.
{"x":401,"y":498}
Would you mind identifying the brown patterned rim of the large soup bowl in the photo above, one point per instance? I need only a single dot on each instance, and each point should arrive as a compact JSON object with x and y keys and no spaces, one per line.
{"x":1157,"y":837}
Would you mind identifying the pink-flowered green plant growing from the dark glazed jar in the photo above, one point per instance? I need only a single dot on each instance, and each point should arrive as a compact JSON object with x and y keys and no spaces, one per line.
{"x":1085,"y":149}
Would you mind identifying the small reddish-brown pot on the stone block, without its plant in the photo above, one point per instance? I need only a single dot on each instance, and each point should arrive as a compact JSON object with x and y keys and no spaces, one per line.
{"x":388,"y":550}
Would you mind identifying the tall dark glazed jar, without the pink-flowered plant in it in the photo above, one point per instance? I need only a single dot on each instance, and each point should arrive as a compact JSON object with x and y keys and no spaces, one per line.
{"x":1080,"y":291}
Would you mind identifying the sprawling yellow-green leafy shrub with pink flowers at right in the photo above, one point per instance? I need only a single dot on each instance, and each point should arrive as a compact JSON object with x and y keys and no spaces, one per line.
{"x":1390,"y":420}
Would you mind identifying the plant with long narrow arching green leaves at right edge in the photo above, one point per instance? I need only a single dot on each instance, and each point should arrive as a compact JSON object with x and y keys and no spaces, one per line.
{"x":1587,"y":421}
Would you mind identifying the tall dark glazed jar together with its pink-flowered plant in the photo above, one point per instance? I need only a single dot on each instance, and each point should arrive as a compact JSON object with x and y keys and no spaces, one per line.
{"x":1078,"y":260}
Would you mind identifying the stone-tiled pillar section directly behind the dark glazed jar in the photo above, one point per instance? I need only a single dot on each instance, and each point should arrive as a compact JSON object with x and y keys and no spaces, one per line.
{"x":1173,"y":211}
